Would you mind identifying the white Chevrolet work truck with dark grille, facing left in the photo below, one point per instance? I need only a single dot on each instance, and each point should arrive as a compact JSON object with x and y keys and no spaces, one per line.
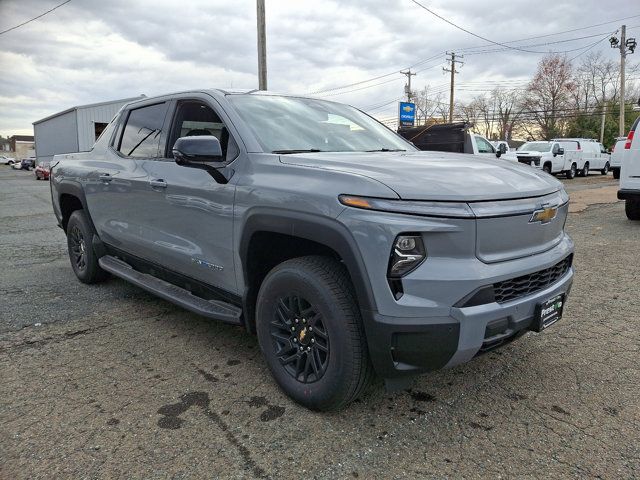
{"x":552,"y":157}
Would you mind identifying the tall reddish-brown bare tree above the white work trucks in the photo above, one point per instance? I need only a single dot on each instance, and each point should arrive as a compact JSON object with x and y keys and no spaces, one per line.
{"x":549,"y":95}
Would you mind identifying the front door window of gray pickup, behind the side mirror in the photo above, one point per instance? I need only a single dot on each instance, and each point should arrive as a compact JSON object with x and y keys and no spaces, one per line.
{"x":195,"y":118}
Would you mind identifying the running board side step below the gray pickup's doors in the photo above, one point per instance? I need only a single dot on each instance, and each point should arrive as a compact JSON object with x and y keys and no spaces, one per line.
{"x":215,"y":309}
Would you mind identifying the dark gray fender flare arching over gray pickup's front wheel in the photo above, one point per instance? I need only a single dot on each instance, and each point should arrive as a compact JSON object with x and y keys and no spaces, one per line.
{"x":323,"y":230}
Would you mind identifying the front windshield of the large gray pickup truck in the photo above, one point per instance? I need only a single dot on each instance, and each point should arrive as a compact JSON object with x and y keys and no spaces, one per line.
{"x":295,"y":125}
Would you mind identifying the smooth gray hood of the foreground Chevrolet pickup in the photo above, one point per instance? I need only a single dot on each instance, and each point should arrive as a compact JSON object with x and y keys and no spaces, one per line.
{"x":436,"y":175}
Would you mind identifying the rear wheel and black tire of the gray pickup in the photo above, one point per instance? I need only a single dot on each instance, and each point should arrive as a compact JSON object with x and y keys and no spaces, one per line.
{"x":84,"y":260}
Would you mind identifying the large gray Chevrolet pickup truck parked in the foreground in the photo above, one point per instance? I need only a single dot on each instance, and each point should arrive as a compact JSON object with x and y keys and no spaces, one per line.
{"x":346,"y":250}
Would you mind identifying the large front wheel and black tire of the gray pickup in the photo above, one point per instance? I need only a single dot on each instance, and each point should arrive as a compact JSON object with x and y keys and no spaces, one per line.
{"x":338,"y":369}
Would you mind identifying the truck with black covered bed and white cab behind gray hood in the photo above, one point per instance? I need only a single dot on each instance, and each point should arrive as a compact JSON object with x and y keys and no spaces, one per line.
{"x":451,"y":137}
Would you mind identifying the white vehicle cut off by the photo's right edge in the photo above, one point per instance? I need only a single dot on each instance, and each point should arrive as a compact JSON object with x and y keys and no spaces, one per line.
{"x":630,"y":174}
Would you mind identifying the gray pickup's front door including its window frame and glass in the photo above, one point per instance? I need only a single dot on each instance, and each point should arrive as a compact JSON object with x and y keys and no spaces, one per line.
{"x":192,"y":212}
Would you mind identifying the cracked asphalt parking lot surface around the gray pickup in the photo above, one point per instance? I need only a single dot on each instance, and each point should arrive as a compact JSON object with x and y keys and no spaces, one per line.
{"x":107,"y":381}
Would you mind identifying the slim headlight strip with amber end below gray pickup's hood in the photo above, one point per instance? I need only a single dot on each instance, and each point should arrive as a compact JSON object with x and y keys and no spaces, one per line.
{"x":424,"y":208}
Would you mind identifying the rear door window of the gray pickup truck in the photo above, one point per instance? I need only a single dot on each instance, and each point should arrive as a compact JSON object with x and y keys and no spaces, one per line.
{"x":141,"y":135}
